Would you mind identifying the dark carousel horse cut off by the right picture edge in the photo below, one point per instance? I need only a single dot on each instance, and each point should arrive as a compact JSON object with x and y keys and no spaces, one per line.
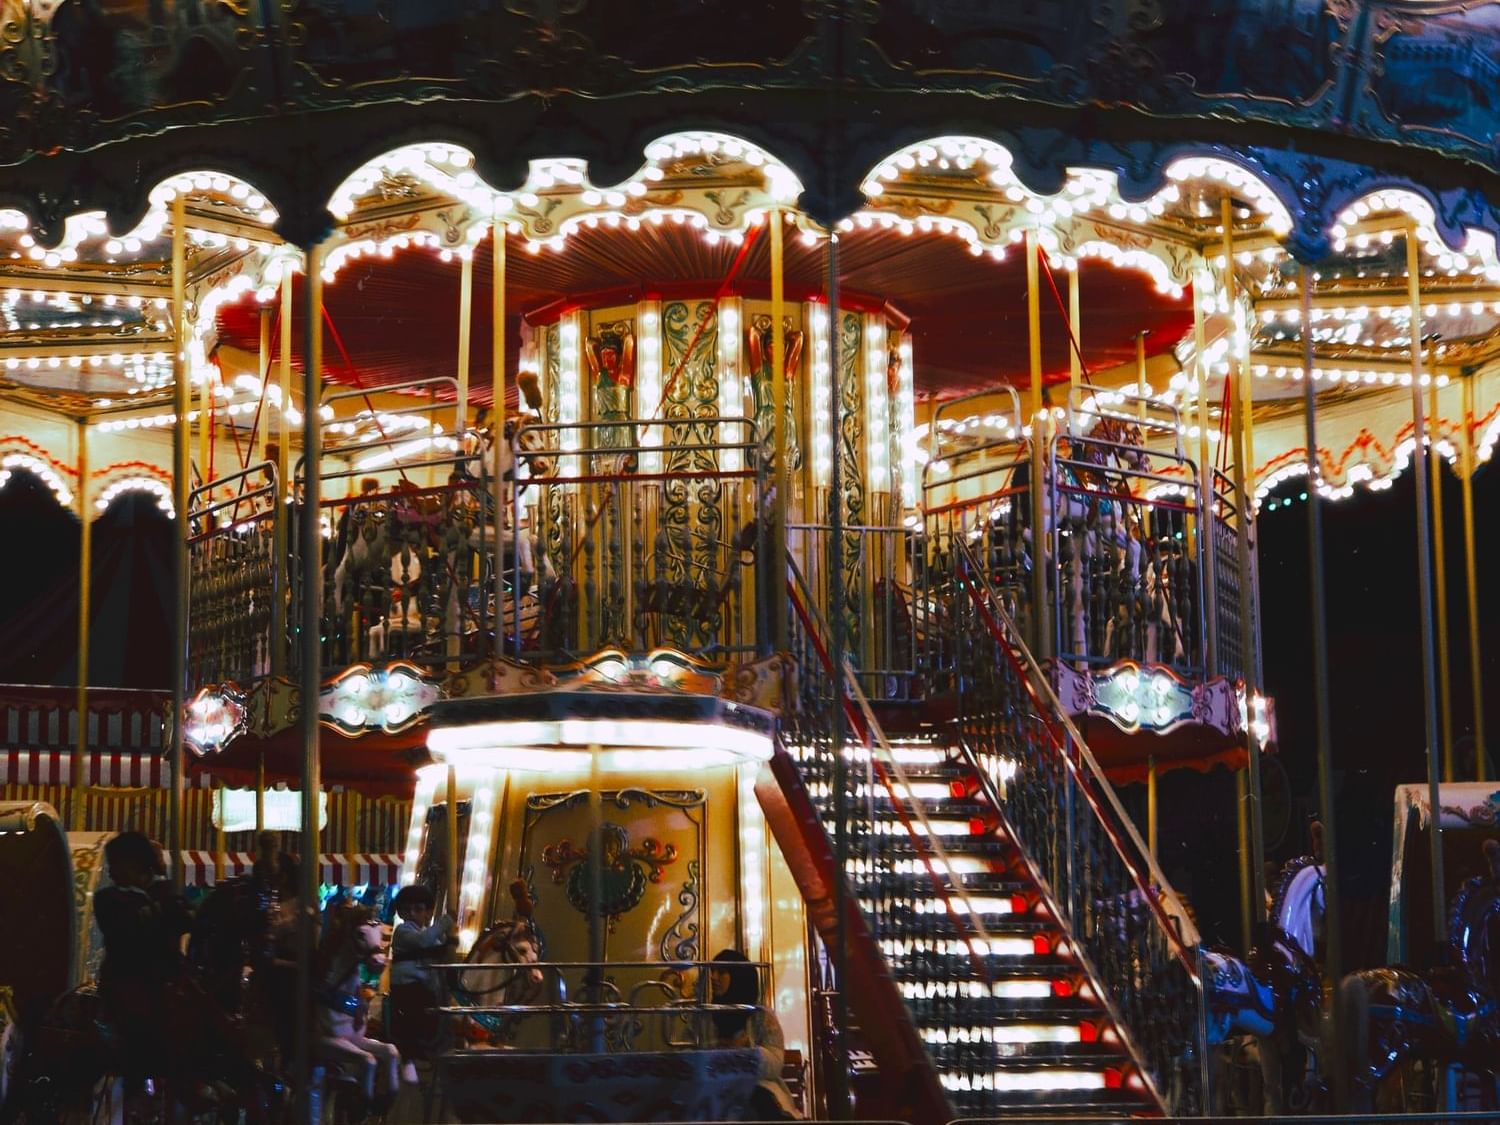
{"x":1445,"y":1018}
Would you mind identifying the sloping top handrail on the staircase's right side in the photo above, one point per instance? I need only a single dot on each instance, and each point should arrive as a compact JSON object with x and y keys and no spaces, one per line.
{"x":1091,"y":776}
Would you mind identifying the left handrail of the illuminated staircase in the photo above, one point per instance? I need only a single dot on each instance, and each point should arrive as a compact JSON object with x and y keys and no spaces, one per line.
{"x":862,"y":721}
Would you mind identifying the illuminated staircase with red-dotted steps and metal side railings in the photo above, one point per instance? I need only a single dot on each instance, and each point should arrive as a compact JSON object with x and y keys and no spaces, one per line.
{"x":1010,"y":943}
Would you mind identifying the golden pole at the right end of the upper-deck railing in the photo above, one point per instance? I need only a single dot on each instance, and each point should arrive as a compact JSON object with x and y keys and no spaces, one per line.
{"x":1244,"y":485}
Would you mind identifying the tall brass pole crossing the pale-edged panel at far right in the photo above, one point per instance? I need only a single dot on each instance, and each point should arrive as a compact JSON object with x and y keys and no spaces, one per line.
{"x":1424,"y":568}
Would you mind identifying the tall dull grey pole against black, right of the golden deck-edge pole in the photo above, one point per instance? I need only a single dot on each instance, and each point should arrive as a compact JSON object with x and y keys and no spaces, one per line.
{"x":1321,"y":676}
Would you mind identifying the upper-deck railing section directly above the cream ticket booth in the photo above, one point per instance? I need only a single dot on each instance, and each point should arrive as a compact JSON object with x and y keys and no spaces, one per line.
{"x":641,"y":536}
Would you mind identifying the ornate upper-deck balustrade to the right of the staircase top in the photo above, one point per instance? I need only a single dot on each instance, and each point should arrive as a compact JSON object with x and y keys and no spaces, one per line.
{"x":1135,"y":560}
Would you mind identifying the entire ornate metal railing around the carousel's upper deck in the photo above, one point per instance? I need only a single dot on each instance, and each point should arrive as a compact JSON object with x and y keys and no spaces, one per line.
{"x":641,"y":536}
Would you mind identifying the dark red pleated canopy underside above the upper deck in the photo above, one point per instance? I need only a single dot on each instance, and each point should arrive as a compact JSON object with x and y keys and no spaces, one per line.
{"x":398,"y":317}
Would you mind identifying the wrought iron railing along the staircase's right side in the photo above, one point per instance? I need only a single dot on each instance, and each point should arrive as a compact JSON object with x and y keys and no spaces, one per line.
{"x":1127,"y":926}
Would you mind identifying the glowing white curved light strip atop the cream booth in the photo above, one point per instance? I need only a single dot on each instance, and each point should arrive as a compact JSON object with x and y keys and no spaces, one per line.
{"x":652,"y":734}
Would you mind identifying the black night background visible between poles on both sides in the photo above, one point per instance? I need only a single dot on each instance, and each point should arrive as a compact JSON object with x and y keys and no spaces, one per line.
{"x":1373,"y":637}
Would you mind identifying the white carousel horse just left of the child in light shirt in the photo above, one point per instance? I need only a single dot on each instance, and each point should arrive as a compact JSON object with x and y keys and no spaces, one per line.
{"x":355,"y":938}
